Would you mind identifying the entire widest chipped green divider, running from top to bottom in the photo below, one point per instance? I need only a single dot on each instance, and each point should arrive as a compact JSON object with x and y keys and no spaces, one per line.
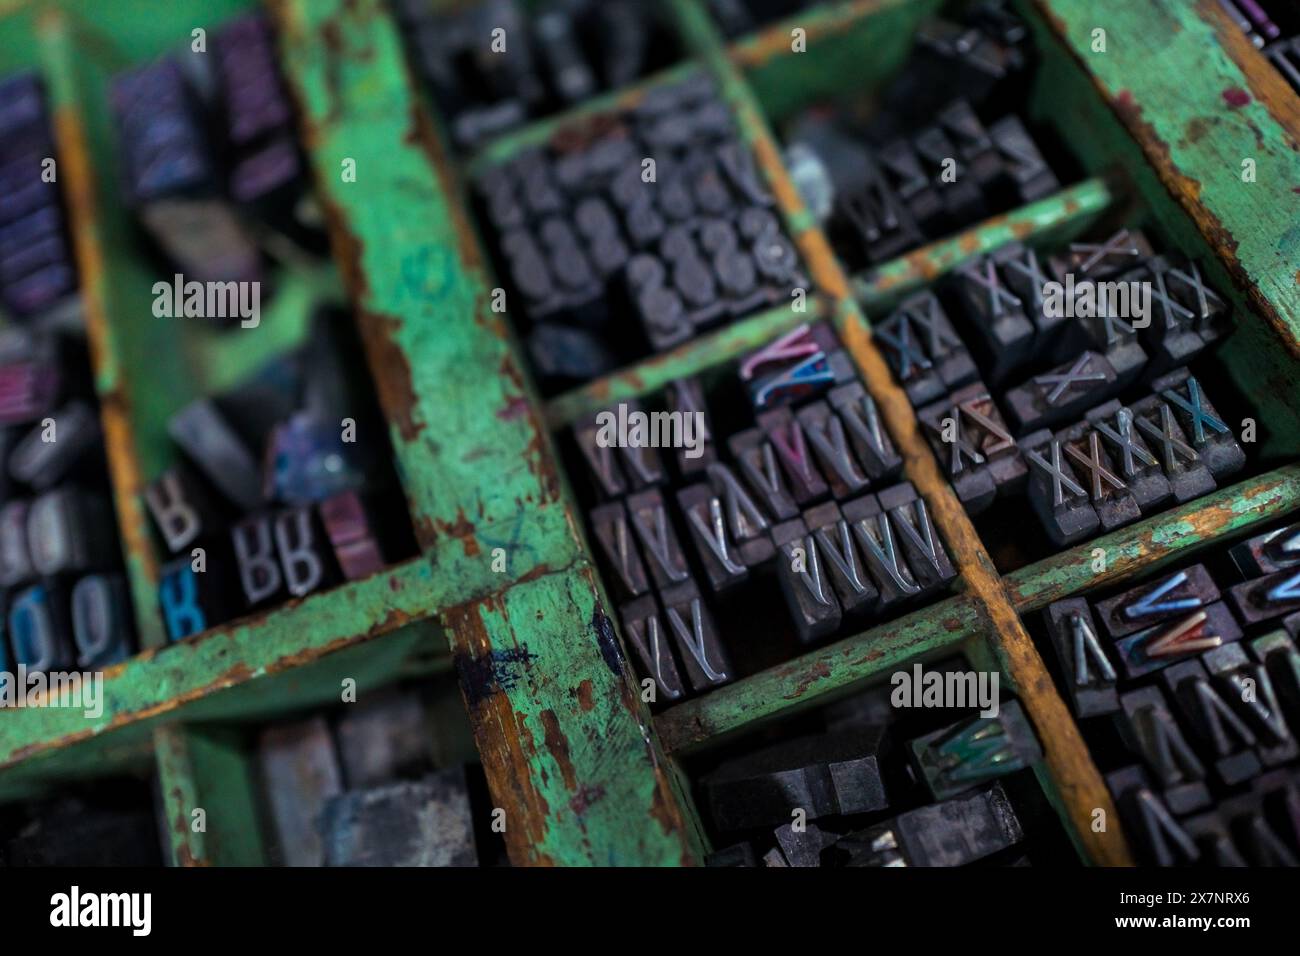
{"x":566,"y":743}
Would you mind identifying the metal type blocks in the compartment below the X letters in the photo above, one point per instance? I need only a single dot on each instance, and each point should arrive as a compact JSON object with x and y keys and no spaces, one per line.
{"x":1211,"y":712}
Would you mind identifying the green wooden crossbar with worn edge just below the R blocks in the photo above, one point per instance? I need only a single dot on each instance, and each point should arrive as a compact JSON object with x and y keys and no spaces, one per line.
{"x":293,"y":618}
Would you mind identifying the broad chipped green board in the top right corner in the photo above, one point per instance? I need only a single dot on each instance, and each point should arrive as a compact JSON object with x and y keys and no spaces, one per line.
{"x":1169,"y":75}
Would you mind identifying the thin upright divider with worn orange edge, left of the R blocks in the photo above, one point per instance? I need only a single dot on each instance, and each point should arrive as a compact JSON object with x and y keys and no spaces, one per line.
{"x":84,"y":222}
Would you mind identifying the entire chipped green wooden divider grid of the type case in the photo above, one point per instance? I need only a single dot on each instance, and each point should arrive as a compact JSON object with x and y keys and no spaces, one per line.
{"x":583,"y":772}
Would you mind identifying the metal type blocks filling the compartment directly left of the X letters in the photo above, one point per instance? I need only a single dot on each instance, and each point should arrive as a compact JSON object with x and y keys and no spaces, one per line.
{"x":809,"y":496}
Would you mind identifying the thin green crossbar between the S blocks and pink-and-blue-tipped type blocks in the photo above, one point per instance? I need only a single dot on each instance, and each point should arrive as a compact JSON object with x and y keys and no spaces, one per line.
{"x":691,"y":358}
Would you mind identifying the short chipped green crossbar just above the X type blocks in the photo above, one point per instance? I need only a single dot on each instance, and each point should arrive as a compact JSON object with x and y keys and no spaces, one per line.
{"x":1056,"y":219}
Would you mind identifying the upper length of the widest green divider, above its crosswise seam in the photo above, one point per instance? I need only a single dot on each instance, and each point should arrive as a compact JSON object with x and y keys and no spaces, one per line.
{"x":471,"y":448}
